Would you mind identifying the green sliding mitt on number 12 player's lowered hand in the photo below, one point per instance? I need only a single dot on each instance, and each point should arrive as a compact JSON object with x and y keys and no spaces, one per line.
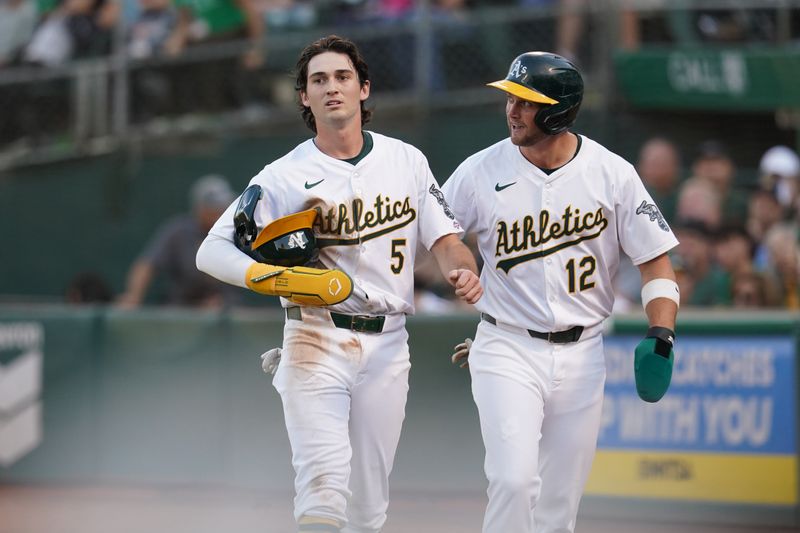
{"x":652,"y":364}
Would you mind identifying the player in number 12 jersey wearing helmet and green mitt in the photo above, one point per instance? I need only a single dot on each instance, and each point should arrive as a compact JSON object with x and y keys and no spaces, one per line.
{"x":551,"y":210}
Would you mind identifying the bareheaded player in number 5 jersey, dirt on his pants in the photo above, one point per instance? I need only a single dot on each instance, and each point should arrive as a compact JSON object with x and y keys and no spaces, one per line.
{"x":343,"y":370}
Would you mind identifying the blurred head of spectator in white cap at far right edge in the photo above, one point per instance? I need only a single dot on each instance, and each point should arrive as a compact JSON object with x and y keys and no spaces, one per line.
{"x":779,"y":173}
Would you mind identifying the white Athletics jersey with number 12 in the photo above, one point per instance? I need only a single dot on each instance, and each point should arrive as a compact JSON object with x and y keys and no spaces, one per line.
{"x":550,"y":243}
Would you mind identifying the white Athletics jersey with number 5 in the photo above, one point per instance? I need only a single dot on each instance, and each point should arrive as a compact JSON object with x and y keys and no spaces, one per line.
{"x":371,"y":215}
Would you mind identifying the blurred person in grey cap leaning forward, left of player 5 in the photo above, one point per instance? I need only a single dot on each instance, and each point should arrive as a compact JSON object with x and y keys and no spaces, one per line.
{"x":171,"y":253}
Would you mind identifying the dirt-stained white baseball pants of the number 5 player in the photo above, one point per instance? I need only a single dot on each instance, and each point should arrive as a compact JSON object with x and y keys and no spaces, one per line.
{"x":344,"y":396}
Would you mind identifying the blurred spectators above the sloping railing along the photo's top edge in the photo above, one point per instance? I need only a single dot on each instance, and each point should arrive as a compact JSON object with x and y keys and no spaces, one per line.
{"x":55,"y":32}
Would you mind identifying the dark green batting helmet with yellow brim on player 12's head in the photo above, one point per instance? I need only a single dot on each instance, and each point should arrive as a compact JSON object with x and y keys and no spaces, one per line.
{"x":548,"y":79}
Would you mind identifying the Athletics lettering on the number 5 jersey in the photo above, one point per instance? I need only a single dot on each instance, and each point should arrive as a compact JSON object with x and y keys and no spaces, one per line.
{"x":385,"y":216}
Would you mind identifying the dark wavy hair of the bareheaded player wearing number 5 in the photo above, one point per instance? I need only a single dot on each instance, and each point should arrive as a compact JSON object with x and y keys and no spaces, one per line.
{"x":331,"y":43}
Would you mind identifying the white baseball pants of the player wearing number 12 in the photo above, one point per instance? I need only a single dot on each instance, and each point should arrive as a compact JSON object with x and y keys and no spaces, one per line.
{"x":539,"y":406}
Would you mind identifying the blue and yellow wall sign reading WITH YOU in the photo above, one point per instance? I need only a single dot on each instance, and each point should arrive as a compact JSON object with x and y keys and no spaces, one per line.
{"x":725,"y":431}
